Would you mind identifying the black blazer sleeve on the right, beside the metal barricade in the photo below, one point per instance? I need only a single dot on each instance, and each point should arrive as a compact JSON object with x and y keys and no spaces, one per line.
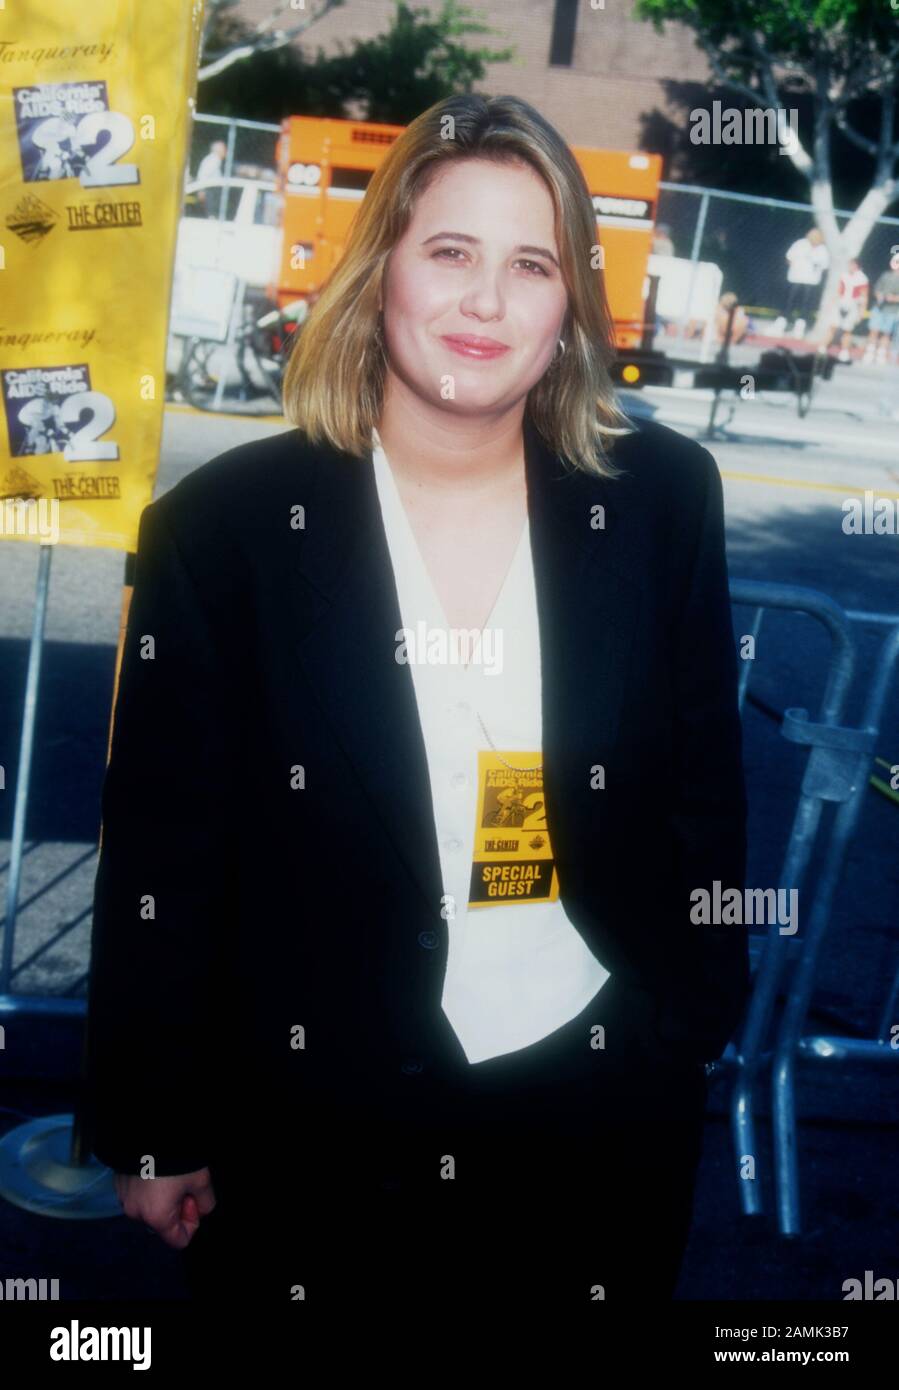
{"x":708,"y":815}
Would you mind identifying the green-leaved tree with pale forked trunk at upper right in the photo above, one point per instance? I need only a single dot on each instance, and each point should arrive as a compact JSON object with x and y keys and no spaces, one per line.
{"x":840,"y":55}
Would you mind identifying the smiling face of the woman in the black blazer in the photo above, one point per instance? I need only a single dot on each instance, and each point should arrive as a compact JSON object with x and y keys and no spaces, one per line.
{"x":479,"y":261}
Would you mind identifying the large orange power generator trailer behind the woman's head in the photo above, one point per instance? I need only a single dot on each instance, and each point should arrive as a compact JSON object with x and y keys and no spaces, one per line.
{"x":324,"y":167}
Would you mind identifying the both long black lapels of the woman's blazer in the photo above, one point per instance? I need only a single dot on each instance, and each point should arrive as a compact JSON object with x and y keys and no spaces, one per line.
{"x":347,"y":605}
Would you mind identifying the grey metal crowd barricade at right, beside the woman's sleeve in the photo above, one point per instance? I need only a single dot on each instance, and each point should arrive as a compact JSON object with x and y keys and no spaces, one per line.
{"x":837,"y":771}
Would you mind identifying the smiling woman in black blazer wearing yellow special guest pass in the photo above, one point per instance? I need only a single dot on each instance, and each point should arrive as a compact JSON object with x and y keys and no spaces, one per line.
{"x":427,"y":732}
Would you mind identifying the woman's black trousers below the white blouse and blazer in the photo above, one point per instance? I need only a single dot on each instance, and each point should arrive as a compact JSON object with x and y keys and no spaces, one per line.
{"x":552,"y":1177}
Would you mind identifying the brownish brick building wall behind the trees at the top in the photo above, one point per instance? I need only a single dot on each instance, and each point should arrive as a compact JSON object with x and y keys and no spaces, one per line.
{"x":616,"y":76}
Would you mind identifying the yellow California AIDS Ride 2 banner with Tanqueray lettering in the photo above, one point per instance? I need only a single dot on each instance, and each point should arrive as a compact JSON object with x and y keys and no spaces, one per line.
{"x":97,"y":105}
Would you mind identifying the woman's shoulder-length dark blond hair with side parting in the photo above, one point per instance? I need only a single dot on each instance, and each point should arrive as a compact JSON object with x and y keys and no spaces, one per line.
{"x":336,"y":375}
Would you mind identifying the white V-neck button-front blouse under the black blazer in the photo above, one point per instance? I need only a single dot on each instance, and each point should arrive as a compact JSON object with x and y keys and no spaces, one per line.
{"x":516,"y":971}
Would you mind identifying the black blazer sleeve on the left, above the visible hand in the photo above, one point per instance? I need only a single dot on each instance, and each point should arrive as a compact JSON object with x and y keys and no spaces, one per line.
{"x":162,"y":890}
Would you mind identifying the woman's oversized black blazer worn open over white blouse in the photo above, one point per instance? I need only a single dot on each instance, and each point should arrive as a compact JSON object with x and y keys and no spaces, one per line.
{"x":261,"y":939}
